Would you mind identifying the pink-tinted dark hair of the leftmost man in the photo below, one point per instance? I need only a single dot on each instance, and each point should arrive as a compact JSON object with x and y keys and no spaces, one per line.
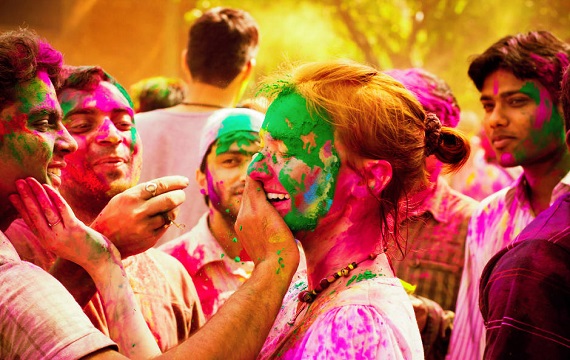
{"x":22,"y":54}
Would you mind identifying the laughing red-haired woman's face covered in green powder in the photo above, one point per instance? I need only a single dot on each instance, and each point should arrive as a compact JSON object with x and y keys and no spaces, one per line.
{"x":298,"y":163}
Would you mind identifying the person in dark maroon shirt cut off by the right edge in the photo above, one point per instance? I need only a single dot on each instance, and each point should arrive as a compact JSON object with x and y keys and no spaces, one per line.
{"x":524,"y":289}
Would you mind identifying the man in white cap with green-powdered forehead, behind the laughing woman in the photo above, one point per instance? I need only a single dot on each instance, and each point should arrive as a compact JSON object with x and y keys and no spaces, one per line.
{"x":216,"y":261}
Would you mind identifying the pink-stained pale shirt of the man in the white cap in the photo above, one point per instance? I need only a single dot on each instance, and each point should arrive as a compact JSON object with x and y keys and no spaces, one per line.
{"x":215,"y":275}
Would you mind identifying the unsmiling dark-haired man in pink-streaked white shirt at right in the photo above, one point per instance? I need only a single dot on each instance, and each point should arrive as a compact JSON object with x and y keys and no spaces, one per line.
{"x":519,"y":80}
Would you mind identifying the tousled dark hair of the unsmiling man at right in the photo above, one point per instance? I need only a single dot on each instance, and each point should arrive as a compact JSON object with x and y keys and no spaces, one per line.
{"x":536,"y":55}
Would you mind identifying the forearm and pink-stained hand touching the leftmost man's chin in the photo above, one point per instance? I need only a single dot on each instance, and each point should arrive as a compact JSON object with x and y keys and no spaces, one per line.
{"x":53,"y":221}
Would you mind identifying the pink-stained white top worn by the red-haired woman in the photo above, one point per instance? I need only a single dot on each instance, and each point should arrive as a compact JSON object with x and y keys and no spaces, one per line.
{"x":368,"y":319}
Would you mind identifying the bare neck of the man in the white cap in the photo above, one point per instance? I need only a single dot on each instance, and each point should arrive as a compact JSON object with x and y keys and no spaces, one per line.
{"x":222,"y":228}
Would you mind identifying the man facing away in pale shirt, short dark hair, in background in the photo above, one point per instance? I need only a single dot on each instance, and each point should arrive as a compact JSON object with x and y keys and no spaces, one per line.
{"x":220,"y":57}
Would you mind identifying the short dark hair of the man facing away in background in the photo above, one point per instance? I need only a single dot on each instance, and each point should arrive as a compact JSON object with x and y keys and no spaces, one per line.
{"x":220,"y":43}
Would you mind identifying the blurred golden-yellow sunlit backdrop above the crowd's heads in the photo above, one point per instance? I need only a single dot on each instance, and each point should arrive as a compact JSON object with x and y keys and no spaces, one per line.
{"x":135,"y":39}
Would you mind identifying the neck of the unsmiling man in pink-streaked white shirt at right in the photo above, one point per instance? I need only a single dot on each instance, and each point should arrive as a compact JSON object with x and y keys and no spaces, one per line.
{"x":542,"y":178}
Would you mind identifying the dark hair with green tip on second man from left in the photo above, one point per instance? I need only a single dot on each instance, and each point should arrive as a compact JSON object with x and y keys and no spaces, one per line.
{"x":87,"y":78}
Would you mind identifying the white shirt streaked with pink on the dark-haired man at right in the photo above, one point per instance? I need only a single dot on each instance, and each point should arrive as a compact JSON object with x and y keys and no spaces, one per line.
{"x":498,"y":220}
